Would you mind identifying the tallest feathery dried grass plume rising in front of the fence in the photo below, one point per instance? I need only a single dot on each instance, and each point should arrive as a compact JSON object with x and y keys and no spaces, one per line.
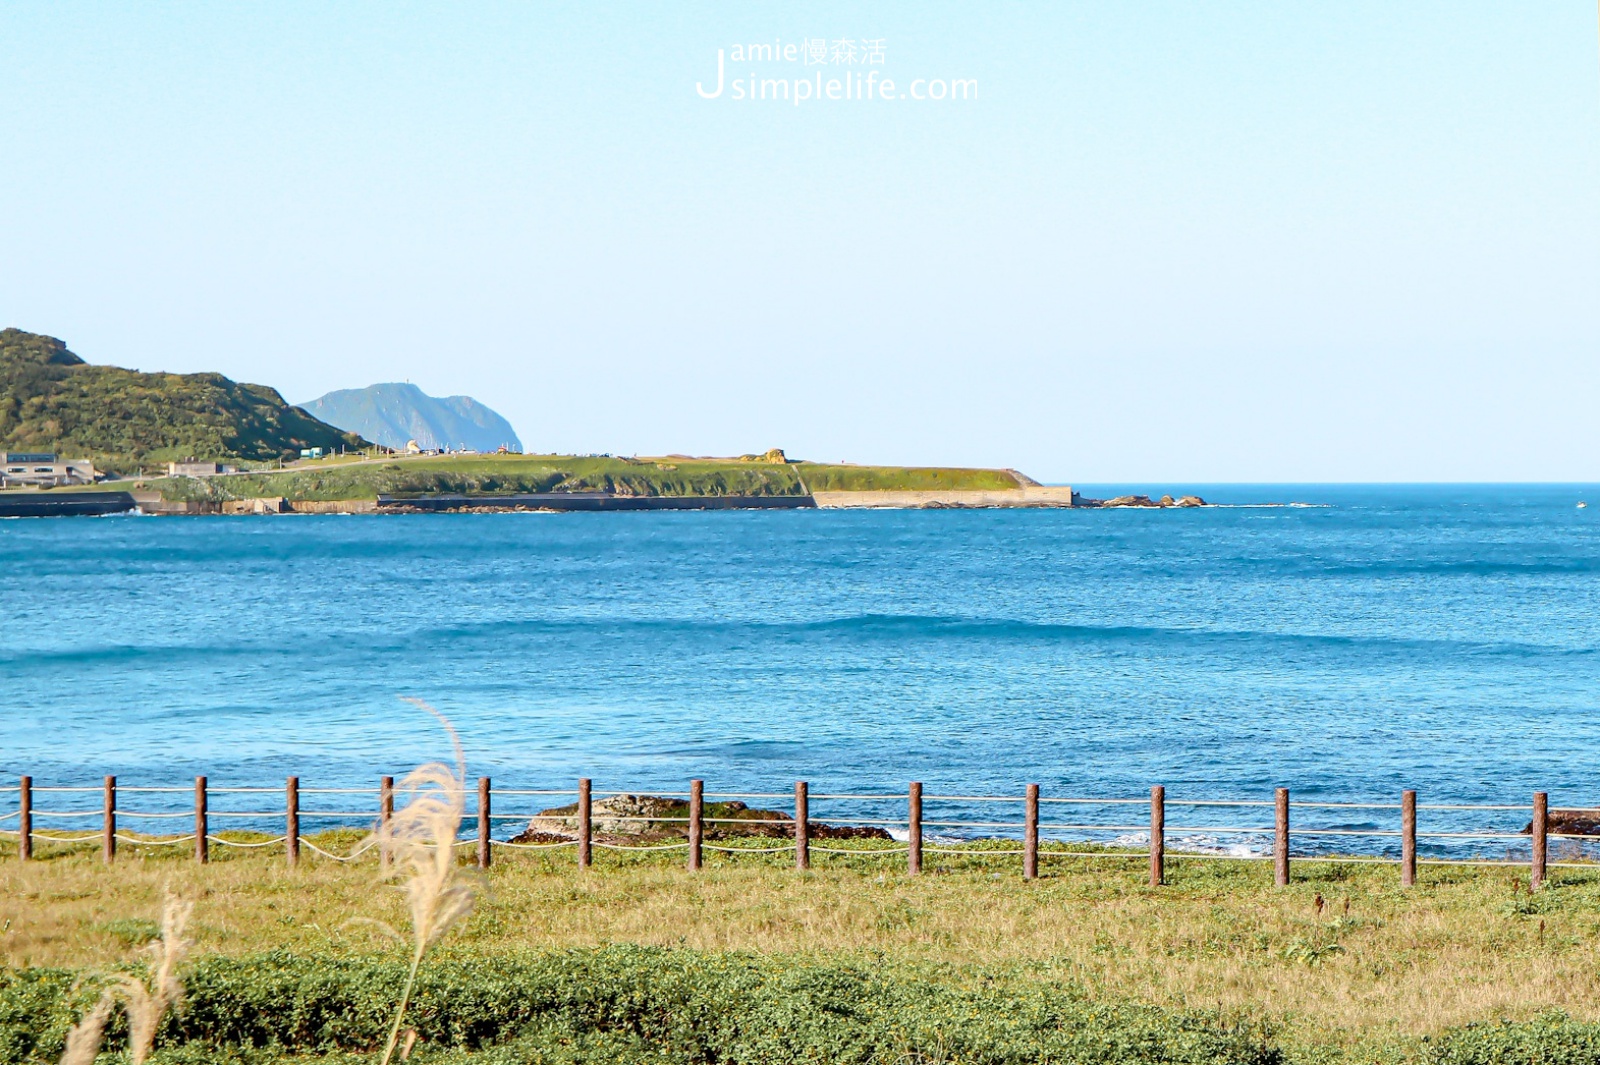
{"x":420,"y":845}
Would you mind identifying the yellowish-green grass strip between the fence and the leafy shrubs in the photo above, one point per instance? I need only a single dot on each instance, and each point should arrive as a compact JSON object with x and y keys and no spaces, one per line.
{"x":1366,"y":976}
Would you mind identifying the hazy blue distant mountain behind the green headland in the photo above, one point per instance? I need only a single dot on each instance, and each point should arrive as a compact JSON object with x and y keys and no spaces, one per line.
{"x":396,"y":413}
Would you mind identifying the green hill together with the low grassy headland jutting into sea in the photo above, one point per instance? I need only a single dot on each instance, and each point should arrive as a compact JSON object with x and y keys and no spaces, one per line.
{"x":127,"y":421}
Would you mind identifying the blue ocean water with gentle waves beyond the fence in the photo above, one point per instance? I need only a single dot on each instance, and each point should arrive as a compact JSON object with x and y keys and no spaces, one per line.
{"x":1444,"y":639}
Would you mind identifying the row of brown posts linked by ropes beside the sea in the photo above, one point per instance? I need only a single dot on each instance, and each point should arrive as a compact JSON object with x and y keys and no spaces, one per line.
{"x":796,"y":826}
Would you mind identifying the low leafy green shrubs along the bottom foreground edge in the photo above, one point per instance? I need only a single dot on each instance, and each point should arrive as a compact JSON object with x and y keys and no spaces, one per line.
{"x":636,"y":1003}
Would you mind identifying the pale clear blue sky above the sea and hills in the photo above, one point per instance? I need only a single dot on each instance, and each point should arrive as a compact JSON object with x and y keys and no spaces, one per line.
{"x":1158,"y":242}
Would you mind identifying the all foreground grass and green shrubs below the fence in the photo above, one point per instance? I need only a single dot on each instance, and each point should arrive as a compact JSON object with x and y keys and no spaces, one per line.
{"x":751,"y":962}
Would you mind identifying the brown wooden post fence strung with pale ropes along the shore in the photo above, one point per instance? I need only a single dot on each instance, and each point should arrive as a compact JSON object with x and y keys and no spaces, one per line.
{"x":799,"y":828}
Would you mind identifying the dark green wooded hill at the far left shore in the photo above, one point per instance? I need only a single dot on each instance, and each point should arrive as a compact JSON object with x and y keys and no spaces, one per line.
{"x":52,"y":401}
